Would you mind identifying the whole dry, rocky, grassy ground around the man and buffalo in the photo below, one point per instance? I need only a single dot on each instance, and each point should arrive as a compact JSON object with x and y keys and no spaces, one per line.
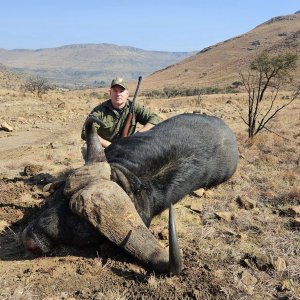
{"x":239,"y":240}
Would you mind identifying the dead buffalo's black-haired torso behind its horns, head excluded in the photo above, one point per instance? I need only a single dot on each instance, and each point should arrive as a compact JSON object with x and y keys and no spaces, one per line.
{"x":176,"y":157}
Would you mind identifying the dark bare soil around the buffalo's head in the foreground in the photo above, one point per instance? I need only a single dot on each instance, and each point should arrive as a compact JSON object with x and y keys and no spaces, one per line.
{"x":101,"y":272}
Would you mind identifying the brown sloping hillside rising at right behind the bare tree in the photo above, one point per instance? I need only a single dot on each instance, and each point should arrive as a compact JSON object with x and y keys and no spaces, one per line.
{"x":220,"y":64}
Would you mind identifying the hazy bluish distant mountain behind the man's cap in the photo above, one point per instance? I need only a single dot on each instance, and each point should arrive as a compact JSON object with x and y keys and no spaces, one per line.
{"x":88,"y":64}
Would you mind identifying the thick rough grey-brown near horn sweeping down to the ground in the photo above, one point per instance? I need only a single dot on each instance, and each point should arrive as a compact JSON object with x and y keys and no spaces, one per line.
{"x":110,"y":210}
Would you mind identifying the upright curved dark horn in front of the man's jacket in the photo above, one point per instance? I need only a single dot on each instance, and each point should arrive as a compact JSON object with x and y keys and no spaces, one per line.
{"x":95,"y":152}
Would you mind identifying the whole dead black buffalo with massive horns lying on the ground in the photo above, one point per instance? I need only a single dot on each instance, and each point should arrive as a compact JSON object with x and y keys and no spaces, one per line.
{"x":119,"y":191}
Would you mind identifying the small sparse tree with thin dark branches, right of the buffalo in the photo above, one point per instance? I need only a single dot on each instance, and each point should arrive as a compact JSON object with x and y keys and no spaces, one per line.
{"x":267,"y":73}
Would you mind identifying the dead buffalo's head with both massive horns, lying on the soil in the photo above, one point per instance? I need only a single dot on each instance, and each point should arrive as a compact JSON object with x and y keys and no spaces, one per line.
{"x":93,"y":196}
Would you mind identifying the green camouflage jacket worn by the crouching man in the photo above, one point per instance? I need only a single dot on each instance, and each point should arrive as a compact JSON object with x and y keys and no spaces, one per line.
{"x":114,"y":121}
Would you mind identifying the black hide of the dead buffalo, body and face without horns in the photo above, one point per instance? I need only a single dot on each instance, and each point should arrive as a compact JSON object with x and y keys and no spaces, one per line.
{"x":155,"y":168}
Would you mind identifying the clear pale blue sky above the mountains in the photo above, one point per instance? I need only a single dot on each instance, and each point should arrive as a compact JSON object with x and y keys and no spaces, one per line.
{"x":162,"y":25}
